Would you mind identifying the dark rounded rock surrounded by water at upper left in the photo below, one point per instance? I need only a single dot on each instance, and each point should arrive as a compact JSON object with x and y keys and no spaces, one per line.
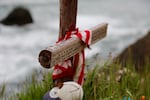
{"x":19,"y":16}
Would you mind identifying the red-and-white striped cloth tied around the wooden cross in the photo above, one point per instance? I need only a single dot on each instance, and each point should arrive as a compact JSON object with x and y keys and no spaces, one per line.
{"x":73,"y":68}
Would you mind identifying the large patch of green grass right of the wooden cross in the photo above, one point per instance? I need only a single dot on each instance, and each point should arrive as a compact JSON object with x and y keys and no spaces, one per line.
{"x":103,"y":85}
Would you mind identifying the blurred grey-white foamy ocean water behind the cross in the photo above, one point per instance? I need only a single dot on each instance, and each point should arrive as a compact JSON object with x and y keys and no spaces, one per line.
{"x":128,"y":21}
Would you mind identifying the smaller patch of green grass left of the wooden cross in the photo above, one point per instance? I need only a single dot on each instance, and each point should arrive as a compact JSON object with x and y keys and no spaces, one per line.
{"x":36,"y":90}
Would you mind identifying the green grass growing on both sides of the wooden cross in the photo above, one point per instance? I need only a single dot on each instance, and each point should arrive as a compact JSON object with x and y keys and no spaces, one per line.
{"x":100,"y":84}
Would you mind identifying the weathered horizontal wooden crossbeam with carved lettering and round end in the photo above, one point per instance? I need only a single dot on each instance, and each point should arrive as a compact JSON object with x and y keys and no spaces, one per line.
{"x":64,"y":50}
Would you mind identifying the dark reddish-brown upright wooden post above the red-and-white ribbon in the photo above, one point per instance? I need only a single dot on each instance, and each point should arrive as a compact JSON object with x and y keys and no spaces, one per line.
{"x":68,"y":13}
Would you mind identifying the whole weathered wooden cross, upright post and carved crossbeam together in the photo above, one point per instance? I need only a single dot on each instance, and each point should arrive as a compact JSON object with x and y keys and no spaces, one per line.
{"x":64,"y":50}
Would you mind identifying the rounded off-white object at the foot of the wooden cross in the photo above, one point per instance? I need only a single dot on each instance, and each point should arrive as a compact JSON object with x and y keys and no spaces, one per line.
{"x":69,"y":91}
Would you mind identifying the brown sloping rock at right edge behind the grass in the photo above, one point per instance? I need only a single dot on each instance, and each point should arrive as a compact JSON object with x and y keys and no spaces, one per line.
{"x":138,"y":53}
